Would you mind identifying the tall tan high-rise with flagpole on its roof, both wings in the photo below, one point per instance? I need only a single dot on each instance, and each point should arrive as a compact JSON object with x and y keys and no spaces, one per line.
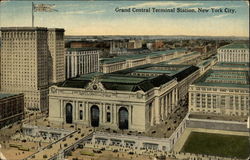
{"x":27,"y":56}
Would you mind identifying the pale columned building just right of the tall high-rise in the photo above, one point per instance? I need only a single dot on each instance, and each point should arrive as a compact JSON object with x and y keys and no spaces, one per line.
{"x":81,"y":61}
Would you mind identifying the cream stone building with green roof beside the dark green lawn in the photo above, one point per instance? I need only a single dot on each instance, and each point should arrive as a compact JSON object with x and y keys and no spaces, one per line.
{"x":223,"y":92}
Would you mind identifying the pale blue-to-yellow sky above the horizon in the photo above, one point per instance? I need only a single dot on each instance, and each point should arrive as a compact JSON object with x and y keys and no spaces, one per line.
{"x":100,"y":17}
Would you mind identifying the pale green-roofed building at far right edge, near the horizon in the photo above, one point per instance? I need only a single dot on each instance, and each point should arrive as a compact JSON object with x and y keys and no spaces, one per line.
{"x":235,"y":52}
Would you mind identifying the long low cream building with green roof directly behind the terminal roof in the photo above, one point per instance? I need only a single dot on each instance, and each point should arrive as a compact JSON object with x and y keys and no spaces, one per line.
{"x":109,"y":65}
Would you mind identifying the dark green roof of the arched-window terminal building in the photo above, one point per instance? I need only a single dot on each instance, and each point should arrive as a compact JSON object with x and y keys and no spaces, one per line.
{"x":124,"y":81}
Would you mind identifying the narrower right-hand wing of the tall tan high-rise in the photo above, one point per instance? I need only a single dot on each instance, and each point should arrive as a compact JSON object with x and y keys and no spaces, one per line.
{"x":56,"y":55}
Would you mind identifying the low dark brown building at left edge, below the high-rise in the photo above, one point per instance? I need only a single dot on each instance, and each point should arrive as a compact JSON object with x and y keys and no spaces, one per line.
{"x":11,"y":108}
